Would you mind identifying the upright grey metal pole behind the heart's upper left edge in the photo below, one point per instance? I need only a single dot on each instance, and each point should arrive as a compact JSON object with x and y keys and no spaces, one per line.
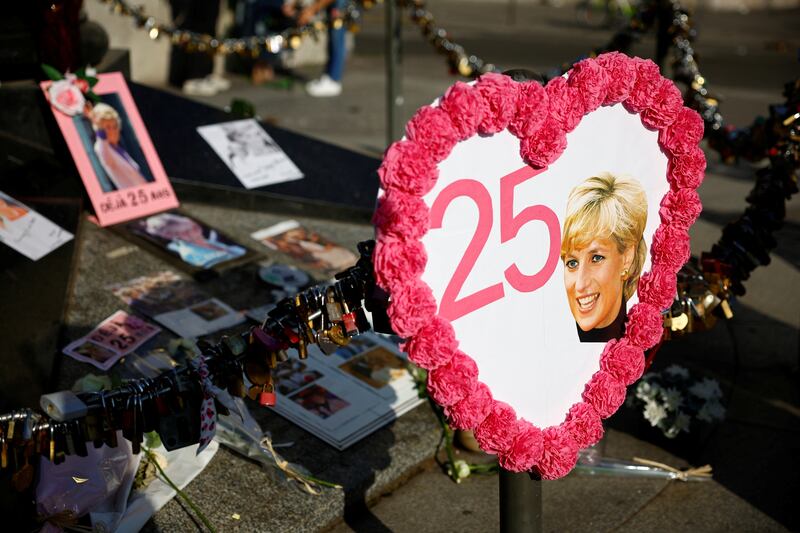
{"x":394,"y":63}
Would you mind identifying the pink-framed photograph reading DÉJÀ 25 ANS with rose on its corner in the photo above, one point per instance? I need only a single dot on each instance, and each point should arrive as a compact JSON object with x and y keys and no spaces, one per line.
{"x":113,"y":153}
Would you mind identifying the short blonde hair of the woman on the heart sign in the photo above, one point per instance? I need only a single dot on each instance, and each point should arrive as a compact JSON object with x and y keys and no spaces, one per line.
{"x":608,"y":207}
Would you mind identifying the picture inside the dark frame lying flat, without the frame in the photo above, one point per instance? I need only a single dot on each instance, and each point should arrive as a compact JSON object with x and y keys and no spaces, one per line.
{"x":195,"y":243}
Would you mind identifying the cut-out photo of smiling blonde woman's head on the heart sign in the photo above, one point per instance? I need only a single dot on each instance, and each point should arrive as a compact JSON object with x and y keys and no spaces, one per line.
{"x":603,"y":252}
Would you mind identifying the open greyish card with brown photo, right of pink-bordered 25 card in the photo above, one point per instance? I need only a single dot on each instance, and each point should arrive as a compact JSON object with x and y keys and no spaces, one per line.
{"x":177,"y":304}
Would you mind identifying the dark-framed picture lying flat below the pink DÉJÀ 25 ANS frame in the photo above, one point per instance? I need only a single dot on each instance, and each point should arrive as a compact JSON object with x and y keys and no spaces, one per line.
{"x":187,"y":242}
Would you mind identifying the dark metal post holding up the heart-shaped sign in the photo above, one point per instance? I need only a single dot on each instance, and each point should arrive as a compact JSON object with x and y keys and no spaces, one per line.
{"x":520,"y":503}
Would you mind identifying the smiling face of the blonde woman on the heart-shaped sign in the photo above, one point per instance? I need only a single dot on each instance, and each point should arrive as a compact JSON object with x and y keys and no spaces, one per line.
{"x":593,"y":277}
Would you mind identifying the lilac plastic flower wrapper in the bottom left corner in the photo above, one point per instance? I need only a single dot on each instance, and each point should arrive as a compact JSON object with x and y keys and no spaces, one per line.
{"x":98,"y":484}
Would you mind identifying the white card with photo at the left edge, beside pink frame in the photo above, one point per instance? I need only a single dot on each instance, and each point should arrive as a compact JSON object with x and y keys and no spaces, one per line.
{"x":28,"y":232}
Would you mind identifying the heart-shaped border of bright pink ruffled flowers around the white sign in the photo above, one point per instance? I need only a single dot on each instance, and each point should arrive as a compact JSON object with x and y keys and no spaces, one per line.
{"x":540,"y":117}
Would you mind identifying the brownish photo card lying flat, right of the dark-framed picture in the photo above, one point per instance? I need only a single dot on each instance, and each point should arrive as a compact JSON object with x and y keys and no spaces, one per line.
{"x":310,"y":249}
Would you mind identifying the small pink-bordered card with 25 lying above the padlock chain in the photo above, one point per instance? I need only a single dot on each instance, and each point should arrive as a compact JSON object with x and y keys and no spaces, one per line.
{"x":115,"y":337}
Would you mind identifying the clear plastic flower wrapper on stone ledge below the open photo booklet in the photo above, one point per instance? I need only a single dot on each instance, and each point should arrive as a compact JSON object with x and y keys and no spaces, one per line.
{"x":243,"y":435}
